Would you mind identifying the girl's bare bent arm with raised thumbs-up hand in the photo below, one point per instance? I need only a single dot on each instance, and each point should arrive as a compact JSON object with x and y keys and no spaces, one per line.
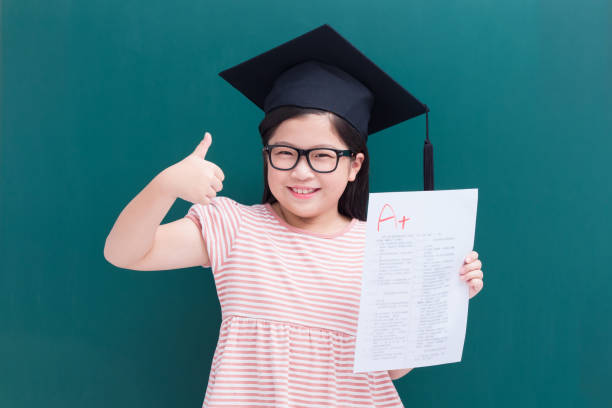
{"x":138,"y":242}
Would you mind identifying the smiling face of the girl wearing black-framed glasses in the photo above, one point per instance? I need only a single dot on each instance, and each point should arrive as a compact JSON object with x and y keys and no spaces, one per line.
{"x":320,"y":207}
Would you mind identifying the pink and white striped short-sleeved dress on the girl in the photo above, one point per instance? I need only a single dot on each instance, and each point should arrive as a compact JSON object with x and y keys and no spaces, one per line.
{"x":289,"y":305}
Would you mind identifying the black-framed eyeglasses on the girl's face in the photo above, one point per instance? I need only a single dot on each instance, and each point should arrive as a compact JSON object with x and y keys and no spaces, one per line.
{"x":321,"y":159}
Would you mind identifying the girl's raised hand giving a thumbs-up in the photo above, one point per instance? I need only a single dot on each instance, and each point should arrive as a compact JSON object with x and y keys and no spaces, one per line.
{"x":194,"y":178}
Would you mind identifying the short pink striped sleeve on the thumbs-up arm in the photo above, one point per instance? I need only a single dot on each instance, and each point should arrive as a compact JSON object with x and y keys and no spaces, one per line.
{"x":219,"y":223}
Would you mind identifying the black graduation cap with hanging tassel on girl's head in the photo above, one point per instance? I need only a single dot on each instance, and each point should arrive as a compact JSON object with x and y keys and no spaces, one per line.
{"x":321,"y":69}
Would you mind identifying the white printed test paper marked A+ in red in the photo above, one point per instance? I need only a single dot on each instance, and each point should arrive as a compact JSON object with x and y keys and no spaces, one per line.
{"x":413,"y":308}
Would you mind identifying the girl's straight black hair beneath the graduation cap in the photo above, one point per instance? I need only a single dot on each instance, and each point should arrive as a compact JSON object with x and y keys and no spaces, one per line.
{"x":354,"y":200}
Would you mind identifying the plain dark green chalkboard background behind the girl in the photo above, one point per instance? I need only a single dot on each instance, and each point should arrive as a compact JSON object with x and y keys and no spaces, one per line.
{"x":100,"y":96}
